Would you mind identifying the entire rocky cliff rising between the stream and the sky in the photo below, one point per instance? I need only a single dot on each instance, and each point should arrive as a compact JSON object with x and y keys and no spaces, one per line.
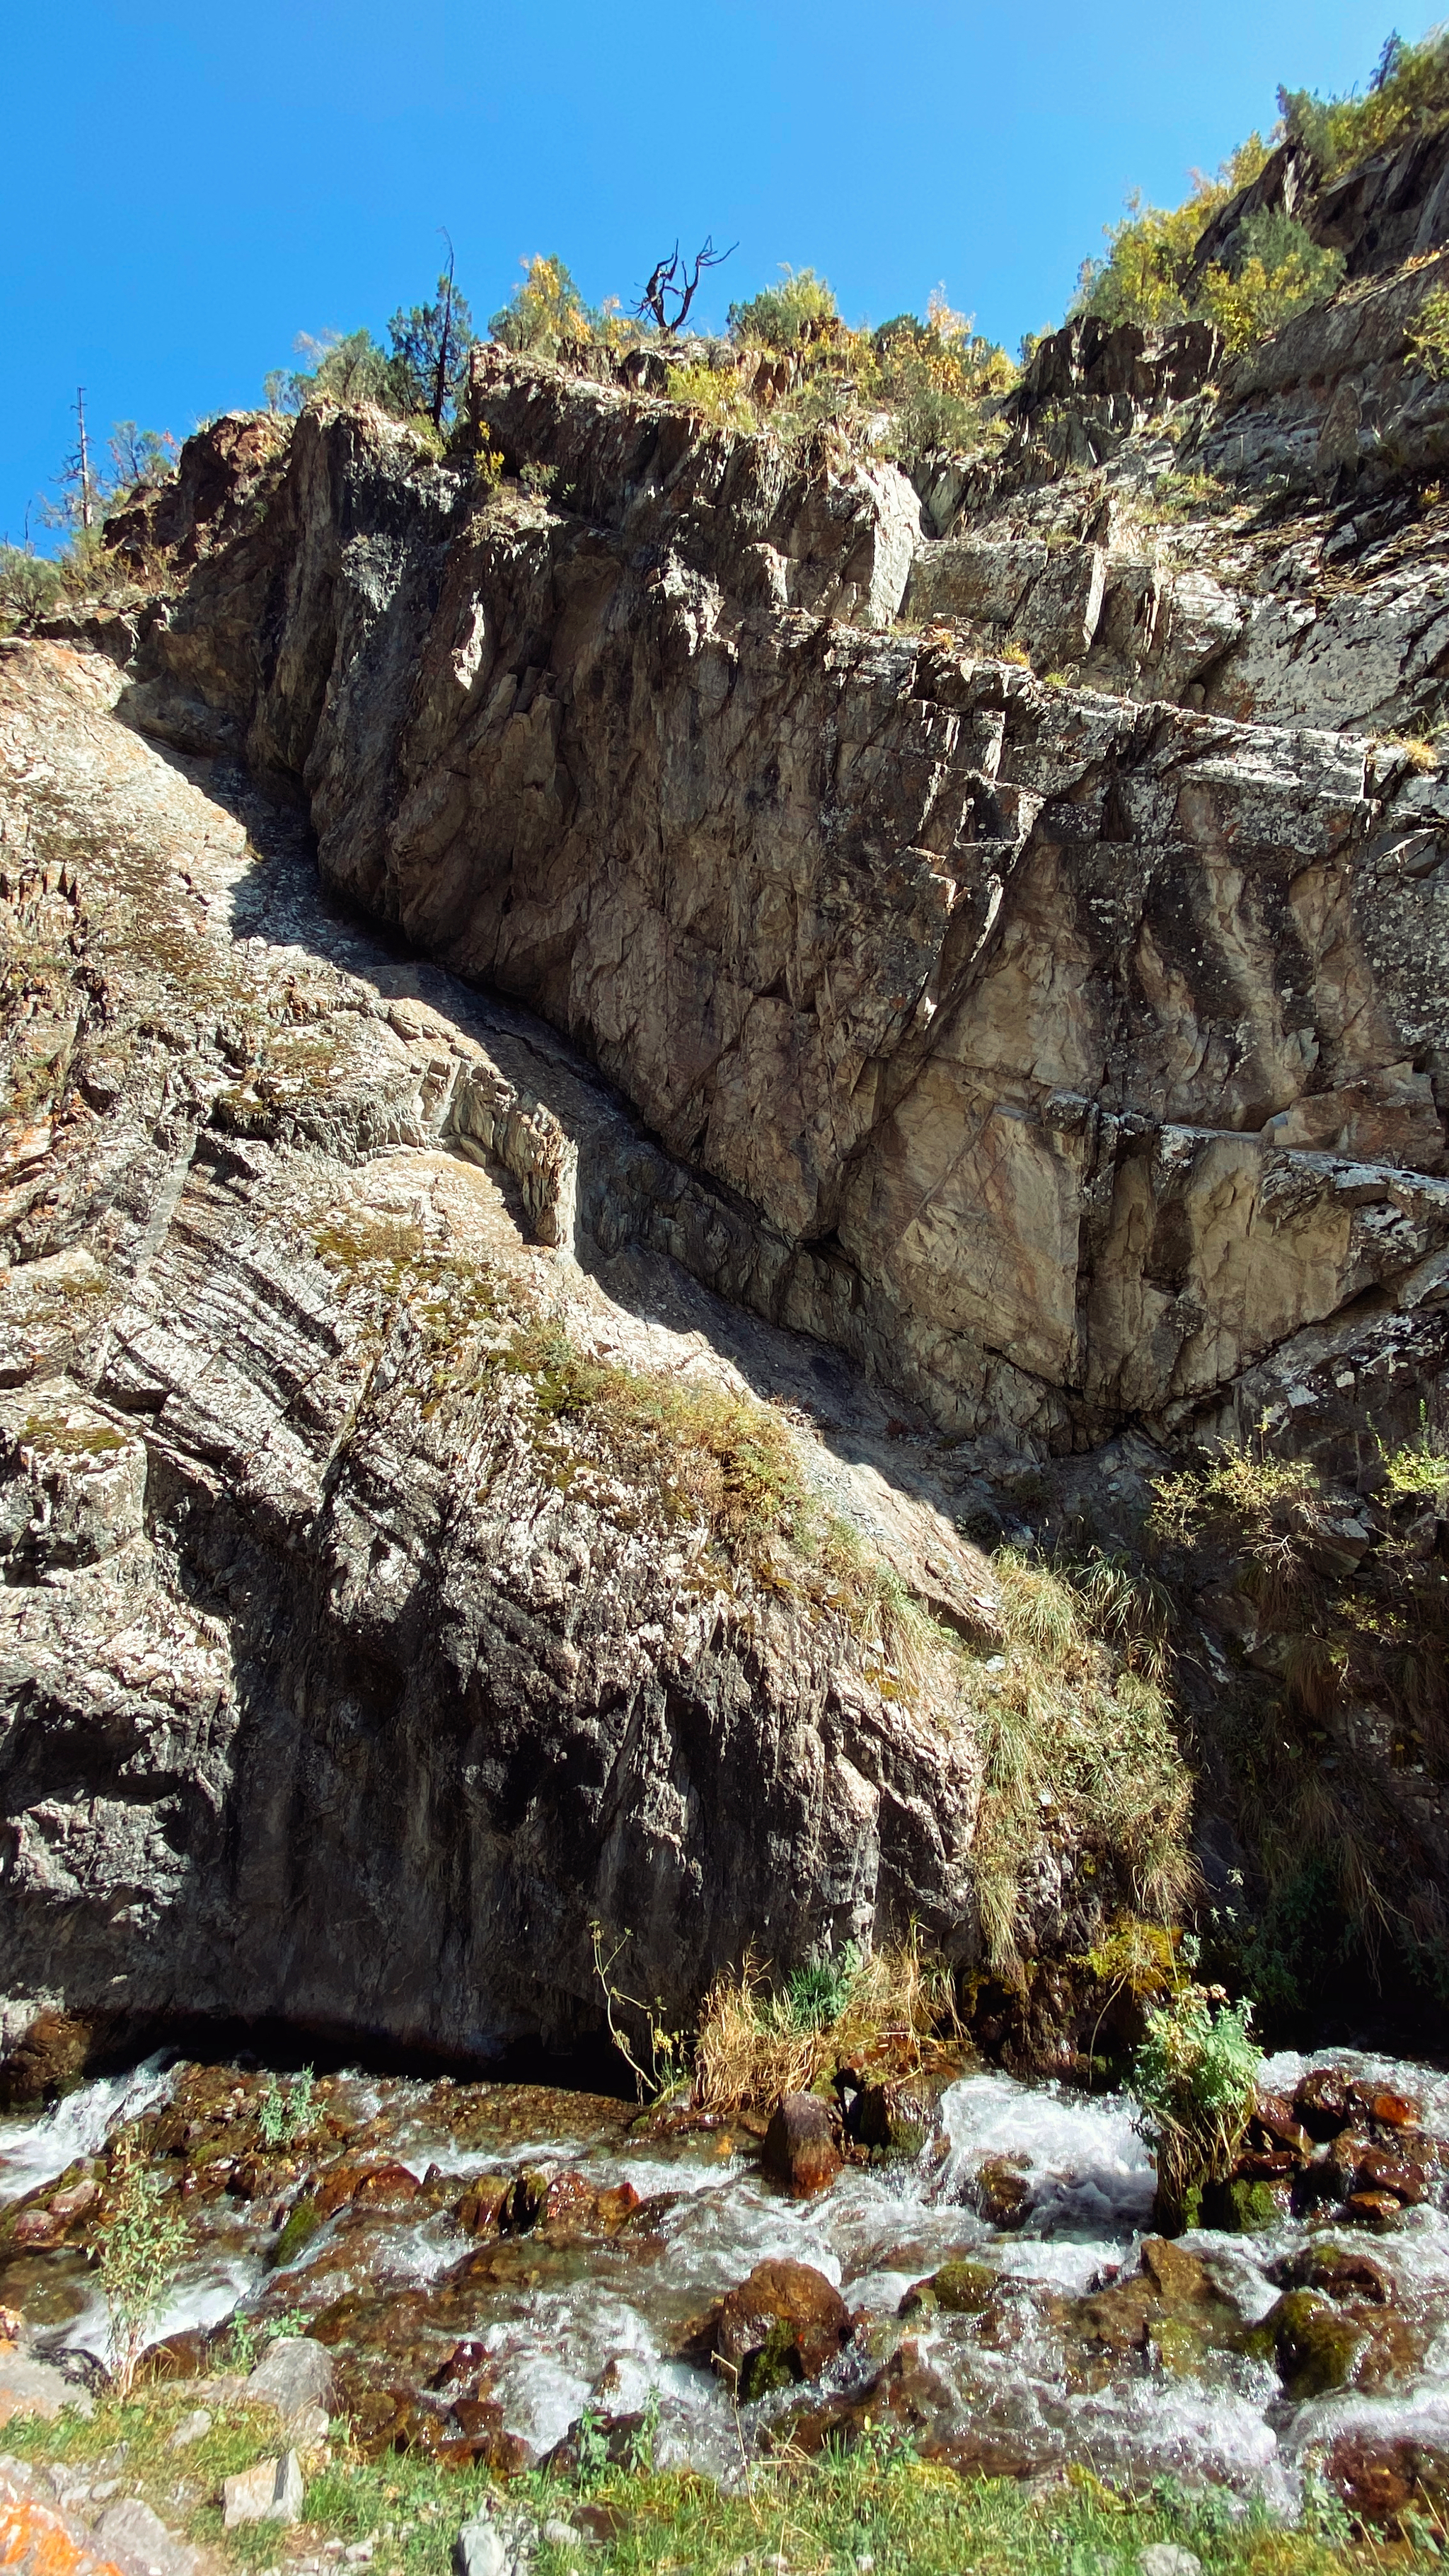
{"x":940,"y":1003}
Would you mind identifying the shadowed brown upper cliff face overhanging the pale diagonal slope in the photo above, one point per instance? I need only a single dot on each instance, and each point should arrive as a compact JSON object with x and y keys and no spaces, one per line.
{"x":1064,"y":1057}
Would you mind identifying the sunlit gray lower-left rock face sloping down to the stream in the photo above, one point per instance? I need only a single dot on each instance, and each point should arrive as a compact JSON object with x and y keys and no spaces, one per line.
{"x":342,"y":1678}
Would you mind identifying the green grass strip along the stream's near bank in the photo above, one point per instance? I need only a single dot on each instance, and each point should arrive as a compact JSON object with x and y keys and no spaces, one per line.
{"x":824,"y":2518}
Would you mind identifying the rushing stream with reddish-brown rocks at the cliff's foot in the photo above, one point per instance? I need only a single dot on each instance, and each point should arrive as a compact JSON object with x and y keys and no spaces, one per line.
{"x":553,"y":2322}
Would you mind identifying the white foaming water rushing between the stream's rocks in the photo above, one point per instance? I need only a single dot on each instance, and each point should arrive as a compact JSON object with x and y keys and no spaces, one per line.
{"x":602,"y":2330}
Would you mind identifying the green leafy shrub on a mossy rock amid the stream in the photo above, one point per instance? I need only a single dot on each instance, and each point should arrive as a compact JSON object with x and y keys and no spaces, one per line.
{"x":1195,"y":2080}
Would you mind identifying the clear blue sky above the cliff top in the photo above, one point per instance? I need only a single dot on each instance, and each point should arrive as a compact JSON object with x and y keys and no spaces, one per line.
{"x":184,"y":187}
